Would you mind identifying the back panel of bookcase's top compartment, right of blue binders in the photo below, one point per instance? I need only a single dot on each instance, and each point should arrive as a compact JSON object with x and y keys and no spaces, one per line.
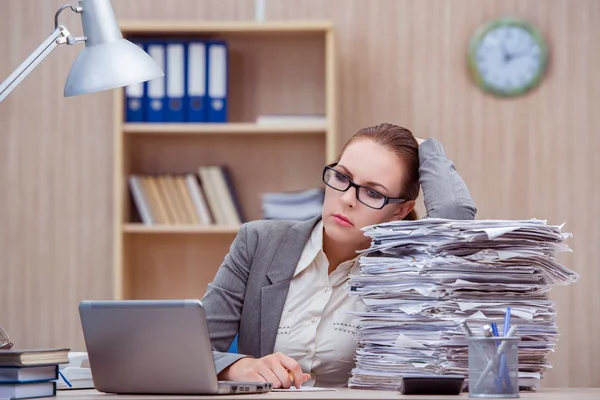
{"x":270,"y":73}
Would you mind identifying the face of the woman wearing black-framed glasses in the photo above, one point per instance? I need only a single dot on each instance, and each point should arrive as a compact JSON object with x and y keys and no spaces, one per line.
{"x":369,"y":164}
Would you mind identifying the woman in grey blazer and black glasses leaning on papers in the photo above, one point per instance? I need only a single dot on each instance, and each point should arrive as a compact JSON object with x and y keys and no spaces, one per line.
{"x":282,"y":285}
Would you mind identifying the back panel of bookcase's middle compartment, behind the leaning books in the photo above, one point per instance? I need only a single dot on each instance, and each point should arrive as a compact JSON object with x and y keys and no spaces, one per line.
{"x":257,"y":164}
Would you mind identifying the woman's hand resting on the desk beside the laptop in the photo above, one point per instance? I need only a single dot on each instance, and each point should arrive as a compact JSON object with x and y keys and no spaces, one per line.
{"x":282,"y":371}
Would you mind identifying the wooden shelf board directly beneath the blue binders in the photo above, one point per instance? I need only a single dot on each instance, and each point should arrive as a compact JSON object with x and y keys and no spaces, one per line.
{"x":236,"y":128}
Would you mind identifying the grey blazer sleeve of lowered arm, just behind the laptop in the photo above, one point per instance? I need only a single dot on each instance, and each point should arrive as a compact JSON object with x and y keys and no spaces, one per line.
{"x":224,"y":298}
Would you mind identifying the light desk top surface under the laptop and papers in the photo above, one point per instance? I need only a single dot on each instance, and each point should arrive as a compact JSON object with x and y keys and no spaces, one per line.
{"x":547,"y":394}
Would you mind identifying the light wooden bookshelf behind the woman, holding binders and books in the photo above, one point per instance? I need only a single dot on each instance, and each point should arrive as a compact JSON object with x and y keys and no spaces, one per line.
{"x":274,"y":68}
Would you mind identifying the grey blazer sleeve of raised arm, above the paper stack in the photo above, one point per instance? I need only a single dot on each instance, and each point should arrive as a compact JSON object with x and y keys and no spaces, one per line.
{"x":445,"y":194}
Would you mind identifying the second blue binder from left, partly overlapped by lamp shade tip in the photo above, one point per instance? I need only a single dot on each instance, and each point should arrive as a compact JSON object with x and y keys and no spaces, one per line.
{"x":156,"y":99}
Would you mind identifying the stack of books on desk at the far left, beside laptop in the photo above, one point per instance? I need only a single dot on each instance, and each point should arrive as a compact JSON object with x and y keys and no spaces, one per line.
{"x":26,"y":374}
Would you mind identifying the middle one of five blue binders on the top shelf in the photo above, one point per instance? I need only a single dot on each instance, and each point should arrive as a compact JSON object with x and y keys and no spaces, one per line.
{"x":175,"y":81}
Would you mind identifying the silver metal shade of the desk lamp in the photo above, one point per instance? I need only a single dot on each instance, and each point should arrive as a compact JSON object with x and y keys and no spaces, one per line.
{"x":108,"y":61}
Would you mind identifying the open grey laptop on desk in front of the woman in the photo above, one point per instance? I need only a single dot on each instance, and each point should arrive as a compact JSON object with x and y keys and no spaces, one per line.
{"x":153,"y":347}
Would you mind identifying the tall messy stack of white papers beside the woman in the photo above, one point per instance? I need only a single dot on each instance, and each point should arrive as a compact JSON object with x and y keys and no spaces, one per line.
{"x":422,"y":279}
